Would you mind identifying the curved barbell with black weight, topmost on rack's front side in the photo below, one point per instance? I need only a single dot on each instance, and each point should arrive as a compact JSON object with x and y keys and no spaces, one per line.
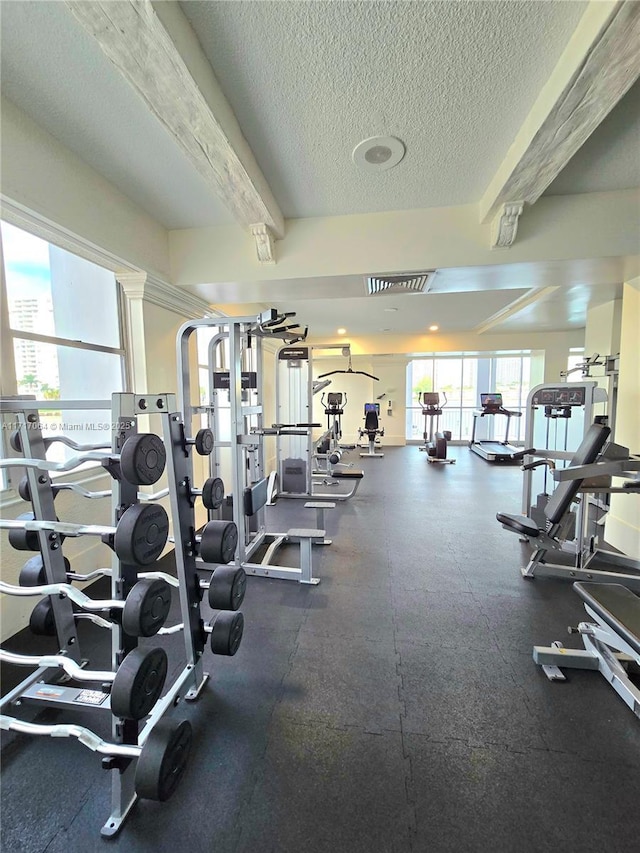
{"x":141,"y":460}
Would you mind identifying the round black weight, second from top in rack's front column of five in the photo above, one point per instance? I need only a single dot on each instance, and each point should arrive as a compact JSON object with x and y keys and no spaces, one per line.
{"x":141,"y":534}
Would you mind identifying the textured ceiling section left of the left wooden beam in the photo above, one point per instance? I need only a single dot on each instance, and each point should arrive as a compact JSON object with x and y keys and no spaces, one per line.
{"x":60,"y":78}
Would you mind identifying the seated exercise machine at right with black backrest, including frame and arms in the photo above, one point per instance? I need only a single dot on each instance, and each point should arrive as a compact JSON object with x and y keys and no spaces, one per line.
{"x":589,"y":461}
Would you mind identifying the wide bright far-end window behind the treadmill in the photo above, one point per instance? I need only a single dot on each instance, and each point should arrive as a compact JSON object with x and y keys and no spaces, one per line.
{"x":460,"y":380}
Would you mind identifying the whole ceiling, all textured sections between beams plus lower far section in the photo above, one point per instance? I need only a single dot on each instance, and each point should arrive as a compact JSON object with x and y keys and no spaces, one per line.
{"x":307,"y":81}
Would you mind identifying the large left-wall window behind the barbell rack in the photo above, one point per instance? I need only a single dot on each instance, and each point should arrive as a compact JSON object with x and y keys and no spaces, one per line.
{"x":62,"y":322}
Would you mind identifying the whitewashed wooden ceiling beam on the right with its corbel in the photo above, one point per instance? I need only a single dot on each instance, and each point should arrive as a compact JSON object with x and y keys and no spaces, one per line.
{"x":598,"y":66}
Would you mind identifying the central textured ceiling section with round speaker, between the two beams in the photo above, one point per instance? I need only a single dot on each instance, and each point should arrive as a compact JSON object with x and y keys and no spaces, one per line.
{"x":310,"y":80}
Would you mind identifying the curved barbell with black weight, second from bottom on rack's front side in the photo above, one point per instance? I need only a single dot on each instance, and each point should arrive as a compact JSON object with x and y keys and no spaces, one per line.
{"x":135,"y":686}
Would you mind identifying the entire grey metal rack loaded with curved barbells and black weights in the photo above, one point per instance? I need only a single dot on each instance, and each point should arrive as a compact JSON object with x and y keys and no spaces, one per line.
{"x":148,"y":752}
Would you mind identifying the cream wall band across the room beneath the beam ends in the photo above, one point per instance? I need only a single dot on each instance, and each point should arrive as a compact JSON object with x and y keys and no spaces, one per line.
{"x":591,"y":225}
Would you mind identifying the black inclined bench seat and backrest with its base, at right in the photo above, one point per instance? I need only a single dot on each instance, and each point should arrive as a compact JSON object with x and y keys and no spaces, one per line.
{"x":556,"y":510}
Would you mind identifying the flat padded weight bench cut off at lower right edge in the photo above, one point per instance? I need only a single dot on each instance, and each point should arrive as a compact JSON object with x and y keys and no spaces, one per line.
{"x":611,"y":641}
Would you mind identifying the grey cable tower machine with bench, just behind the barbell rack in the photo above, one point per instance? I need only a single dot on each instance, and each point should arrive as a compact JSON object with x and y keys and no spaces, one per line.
{"x":234,"y":413}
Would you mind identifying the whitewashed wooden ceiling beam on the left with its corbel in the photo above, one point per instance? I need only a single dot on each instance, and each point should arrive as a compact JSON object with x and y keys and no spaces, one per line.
{"x":134,"y":39}
